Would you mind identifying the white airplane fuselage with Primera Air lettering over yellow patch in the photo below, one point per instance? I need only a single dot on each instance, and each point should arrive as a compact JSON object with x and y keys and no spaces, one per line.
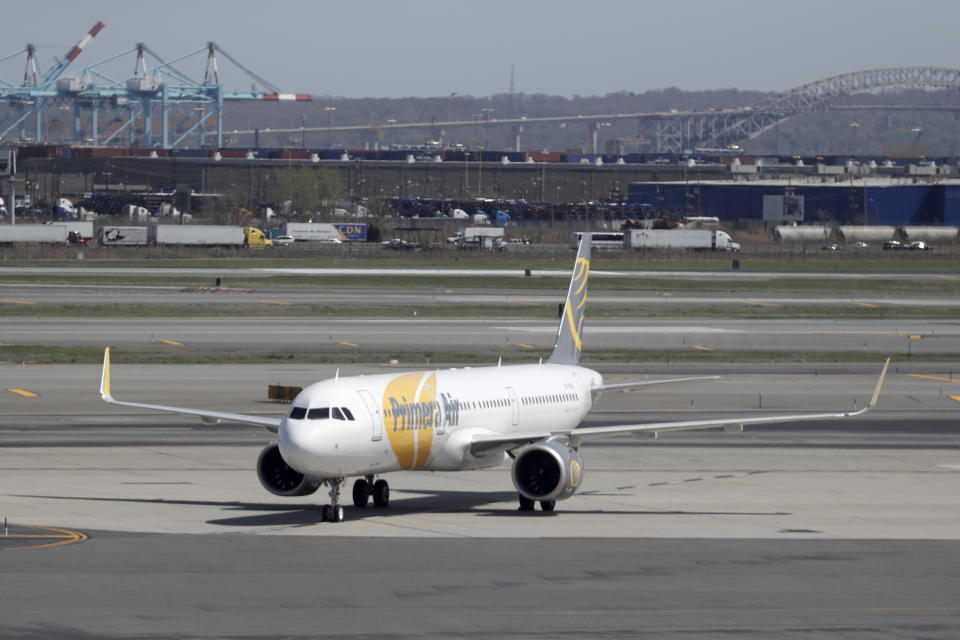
{"x":426,"y":420}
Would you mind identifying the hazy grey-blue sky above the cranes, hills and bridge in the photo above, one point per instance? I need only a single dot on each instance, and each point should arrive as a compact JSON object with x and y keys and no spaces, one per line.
{"x":394,"y":48}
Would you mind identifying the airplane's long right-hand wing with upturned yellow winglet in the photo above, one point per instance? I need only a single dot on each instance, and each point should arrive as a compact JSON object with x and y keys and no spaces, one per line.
{"x":486,"y":444}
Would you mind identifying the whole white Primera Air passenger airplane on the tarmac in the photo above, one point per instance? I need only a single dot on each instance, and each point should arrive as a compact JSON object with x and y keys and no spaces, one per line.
{"x":453,"y":420}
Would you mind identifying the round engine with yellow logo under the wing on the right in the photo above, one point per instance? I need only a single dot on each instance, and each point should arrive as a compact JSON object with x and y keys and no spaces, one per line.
{"x":547,"y":471}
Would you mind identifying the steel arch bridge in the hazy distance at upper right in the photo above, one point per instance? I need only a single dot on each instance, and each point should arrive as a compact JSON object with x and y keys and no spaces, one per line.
{"x":720,"y":129}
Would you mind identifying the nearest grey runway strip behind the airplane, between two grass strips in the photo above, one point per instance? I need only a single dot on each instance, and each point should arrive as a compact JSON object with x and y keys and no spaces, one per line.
{"x":890,"y":337}
